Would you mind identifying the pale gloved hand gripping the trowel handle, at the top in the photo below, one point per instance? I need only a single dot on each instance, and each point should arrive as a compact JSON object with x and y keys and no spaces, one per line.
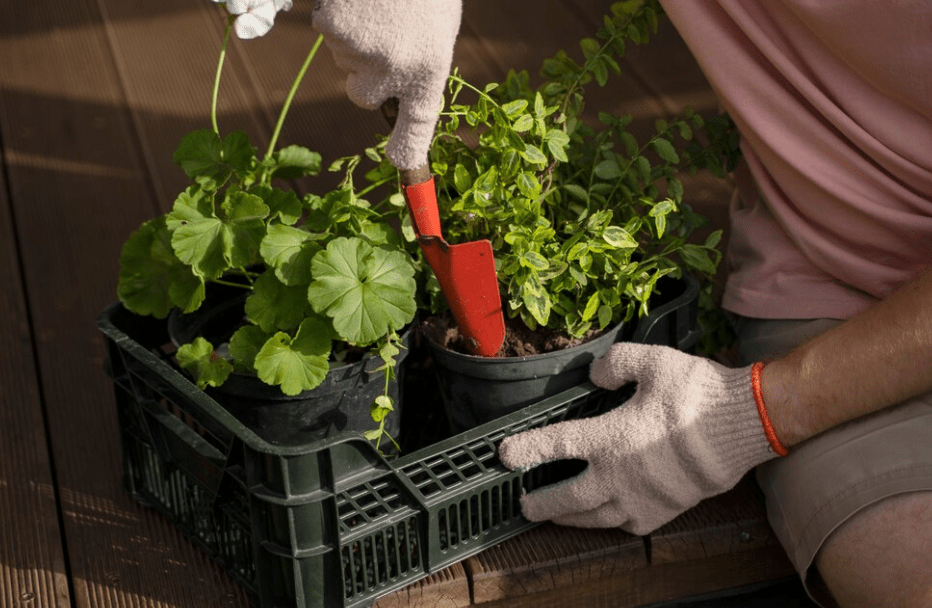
{"x":395,"y":48}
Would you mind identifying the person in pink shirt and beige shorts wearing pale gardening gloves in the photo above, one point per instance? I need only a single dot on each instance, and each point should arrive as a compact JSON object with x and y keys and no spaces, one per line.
{"x":829,"y":277}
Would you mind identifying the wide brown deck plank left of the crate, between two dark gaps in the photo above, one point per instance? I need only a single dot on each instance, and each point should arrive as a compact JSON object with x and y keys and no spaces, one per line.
{"x":78,"y":187}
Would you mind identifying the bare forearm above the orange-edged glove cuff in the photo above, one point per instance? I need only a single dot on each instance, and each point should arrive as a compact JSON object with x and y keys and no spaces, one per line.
{"x":872,"y":361}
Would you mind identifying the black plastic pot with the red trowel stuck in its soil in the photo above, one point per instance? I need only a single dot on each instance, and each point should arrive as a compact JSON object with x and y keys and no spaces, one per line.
{"x":476,"y":390}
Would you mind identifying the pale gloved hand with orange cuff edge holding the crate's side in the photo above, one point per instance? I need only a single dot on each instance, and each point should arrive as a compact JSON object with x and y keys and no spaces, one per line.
{"x":691,"y":430}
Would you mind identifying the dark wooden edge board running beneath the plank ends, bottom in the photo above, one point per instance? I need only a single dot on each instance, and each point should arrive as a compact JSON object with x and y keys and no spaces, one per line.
{"x":664,"y":583}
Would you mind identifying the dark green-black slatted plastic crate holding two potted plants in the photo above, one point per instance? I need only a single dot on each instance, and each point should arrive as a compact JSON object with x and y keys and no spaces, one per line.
{"x":330,"y":523}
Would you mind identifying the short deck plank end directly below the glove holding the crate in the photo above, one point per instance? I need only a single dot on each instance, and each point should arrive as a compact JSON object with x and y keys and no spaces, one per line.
{"x":550,"y":558}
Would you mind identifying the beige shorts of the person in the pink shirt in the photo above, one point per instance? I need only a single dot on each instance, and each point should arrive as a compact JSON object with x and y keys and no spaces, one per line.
{"x":826,"y":480}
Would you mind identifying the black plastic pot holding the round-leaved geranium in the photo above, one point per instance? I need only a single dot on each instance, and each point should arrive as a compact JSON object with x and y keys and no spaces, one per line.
{"x":341,"y":402}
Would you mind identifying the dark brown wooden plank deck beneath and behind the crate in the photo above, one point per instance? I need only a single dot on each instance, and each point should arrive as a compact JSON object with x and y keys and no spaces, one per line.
{"x":94,"y":96}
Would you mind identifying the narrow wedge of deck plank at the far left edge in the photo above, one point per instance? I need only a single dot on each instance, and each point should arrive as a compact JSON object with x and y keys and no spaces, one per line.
{"x":32,"y":562}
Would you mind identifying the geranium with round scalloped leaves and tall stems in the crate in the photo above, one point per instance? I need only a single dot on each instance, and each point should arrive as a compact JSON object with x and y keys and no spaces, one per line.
{"x":323,"y":273}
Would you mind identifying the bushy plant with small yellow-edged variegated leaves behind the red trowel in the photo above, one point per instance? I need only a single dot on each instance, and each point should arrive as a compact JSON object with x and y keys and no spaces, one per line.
{"x":584,"y":220}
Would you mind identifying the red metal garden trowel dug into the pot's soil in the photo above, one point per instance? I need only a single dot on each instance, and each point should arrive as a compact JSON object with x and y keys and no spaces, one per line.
{"x":466,"y":271}
